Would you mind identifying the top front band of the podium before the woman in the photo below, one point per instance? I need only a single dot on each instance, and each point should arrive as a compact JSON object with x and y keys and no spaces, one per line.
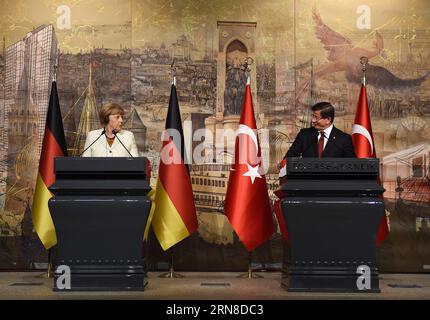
{"x":64,"y":165}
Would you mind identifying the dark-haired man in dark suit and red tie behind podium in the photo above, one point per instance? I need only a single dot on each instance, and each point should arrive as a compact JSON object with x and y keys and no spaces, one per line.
{"x":323,"y":139}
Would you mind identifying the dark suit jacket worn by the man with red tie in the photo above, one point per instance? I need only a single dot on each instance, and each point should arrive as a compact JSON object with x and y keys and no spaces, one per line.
{"x":339,"y":145}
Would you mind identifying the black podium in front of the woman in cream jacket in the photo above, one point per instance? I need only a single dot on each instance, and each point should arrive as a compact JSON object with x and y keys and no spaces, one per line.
{"x":100,"y":209}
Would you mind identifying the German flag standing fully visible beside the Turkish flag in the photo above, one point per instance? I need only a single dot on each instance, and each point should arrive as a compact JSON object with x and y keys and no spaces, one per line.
{"x":174,"y":217}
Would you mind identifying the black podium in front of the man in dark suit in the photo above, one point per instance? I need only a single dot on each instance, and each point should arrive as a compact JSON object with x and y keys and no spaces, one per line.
{"x":332,"y":208}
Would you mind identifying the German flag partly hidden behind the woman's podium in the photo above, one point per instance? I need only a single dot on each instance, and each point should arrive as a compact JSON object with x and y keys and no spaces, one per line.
{"x":54,"y":145}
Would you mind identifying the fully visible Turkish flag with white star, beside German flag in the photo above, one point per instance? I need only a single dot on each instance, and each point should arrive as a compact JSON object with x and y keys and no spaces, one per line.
{"x":247,"y":203}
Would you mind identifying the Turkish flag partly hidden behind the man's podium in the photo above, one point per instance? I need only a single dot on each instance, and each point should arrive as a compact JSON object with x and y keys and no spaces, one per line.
{"x":364,"y":146}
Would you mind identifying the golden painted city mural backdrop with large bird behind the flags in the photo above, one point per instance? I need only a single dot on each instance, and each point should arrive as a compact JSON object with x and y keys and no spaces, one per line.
{"x":302,"y":52}
